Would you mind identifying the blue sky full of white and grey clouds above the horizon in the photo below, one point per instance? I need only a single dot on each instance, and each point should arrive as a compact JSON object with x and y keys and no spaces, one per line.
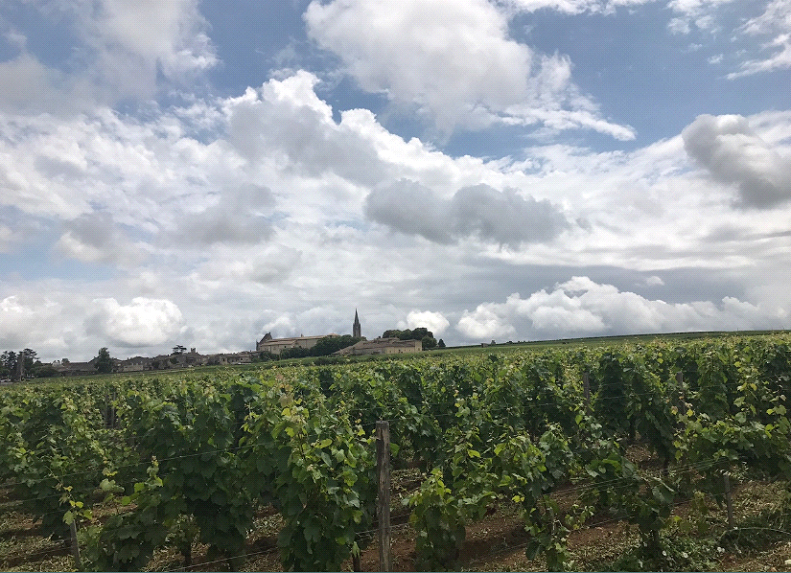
{"x":204,"y":172}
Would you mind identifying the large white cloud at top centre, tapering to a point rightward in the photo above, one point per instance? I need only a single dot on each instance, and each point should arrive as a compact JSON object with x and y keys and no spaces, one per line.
{"x":456,"y":62}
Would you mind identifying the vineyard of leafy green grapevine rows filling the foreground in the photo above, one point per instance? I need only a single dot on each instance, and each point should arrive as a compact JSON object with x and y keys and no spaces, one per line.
{"x":563,"y":439}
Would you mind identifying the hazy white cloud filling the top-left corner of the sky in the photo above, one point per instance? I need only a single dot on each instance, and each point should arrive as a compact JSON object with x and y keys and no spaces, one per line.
{"x":121,"y":50}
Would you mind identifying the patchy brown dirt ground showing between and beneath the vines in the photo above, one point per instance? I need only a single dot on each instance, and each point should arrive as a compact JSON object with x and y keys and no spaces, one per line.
{"x":496,"y":543}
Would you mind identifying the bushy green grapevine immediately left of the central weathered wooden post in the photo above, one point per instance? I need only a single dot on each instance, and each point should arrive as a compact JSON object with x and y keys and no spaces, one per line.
{"x":318,"y":467}
